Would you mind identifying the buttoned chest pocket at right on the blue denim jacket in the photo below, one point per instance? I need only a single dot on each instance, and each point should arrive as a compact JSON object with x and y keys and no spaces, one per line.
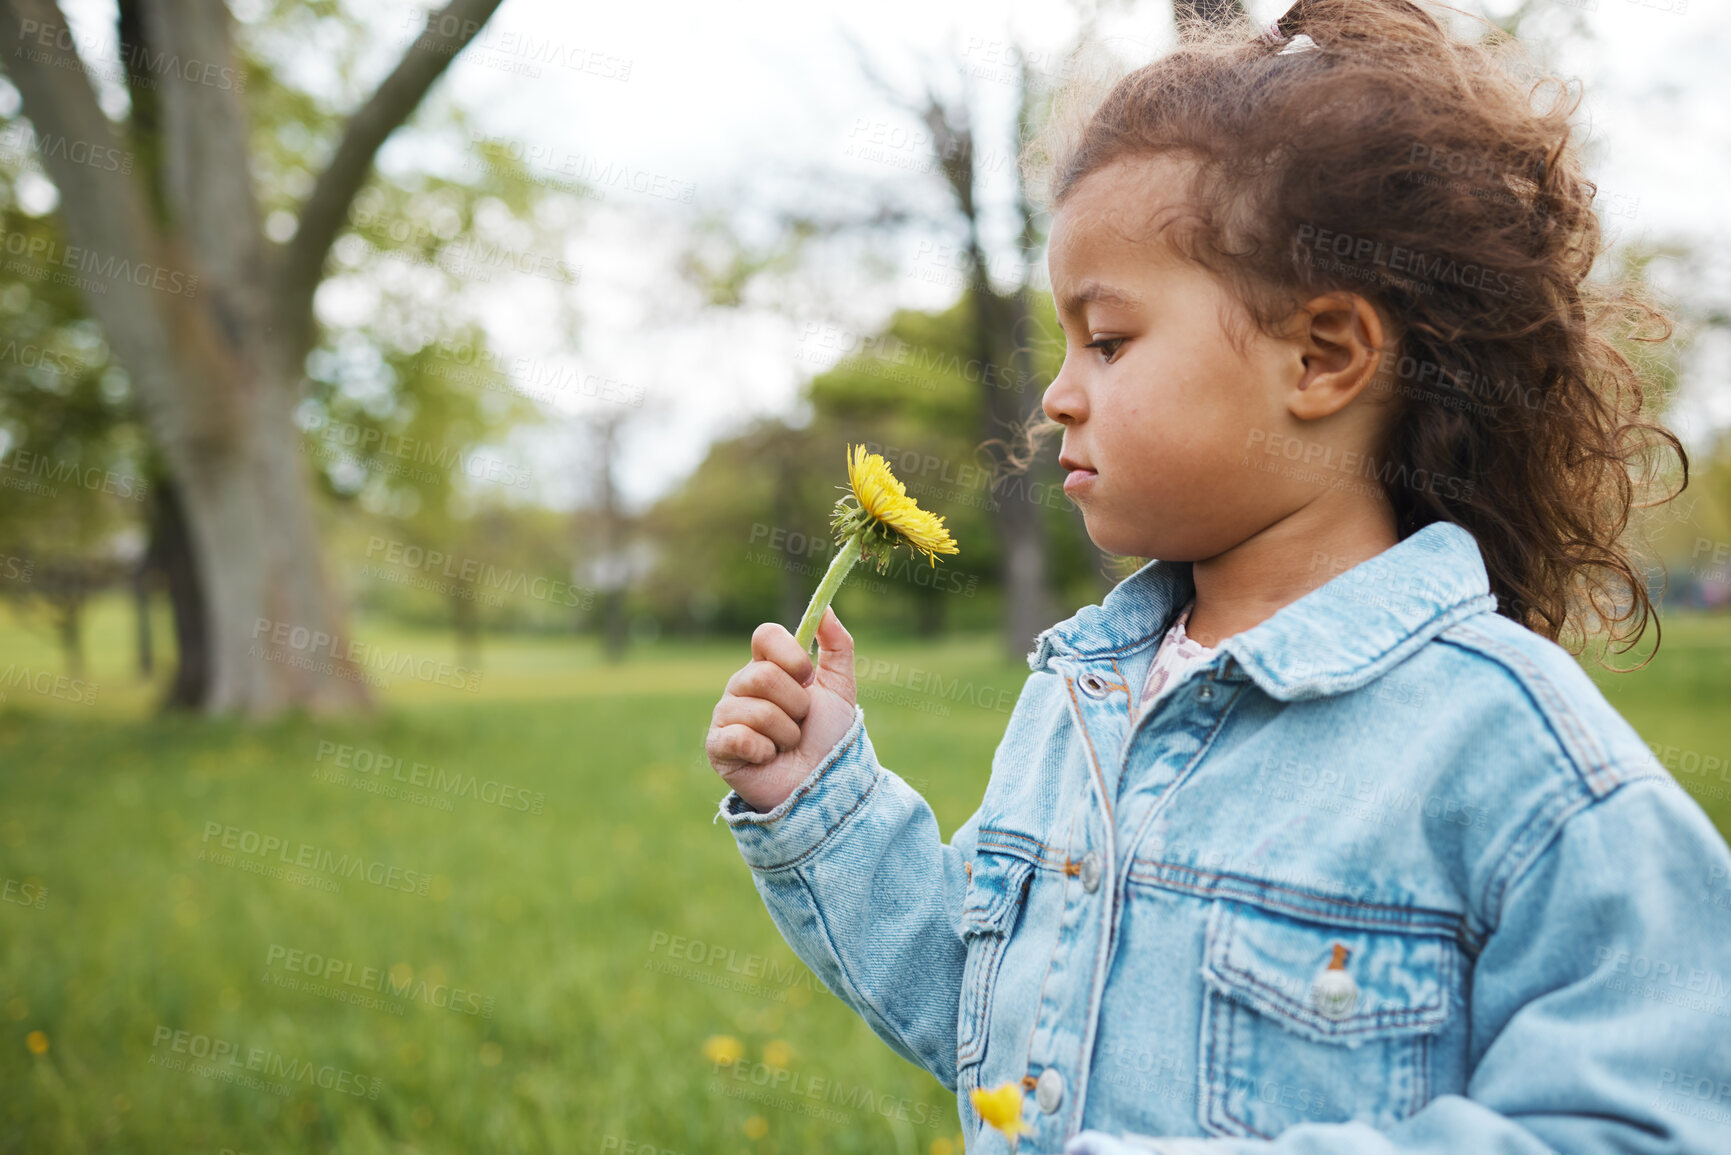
{"x":1306,"y":1023}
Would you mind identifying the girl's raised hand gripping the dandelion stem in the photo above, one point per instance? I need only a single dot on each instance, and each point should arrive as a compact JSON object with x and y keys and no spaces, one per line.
{"x":780,"y":714}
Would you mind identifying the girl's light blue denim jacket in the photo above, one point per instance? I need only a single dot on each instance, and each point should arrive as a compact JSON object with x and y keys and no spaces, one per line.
{"x":1386,"y":874}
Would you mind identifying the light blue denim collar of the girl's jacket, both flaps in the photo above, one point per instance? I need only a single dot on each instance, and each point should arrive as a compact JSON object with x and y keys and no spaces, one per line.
{"x":1335,"y":638}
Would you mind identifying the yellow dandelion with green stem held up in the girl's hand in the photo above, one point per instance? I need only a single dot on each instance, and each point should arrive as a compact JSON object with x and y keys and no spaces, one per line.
{"x":872,"y":520}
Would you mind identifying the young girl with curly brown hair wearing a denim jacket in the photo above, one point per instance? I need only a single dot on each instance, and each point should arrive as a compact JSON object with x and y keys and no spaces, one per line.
{"x":1310,"y":837}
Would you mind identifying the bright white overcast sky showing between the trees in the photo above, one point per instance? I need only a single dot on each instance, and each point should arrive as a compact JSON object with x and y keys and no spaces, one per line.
{"x":709,"y":105}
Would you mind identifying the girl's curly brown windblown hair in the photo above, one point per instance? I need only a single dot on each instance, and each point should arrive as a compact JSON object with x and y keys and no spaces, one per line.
{"x":1419,"y":171}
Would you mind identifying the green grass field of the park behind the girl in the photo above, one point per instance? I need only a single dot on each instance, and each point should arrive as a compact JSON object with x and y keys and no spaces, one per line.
{"x":550,"y":981}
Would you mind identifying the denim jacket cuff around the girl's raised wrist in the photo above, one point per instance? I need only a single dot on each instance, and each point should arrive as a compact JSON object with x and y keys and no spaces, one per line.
{"x":818,"y":806}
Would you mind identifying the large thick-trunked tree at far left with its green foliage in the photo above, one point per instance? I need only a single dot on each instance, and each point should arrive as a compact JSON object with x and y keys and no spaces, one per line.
{"x":233,"y":191}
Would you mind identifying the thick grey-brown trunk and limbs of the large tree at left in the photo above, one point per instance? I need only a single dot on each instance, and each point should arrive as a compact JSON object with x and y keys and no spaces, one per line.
{"x":217,"y":326}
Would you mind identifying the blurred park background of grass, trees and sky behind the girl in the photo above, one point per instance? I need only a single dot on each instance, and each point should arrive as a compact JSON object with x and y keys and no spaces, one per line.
{"x":408,"y":415}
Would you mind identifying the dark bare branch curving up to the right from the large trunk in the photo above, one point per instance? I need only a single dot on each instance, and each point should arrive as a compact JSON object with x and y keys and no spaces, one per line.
{"x":396,"y":100}
